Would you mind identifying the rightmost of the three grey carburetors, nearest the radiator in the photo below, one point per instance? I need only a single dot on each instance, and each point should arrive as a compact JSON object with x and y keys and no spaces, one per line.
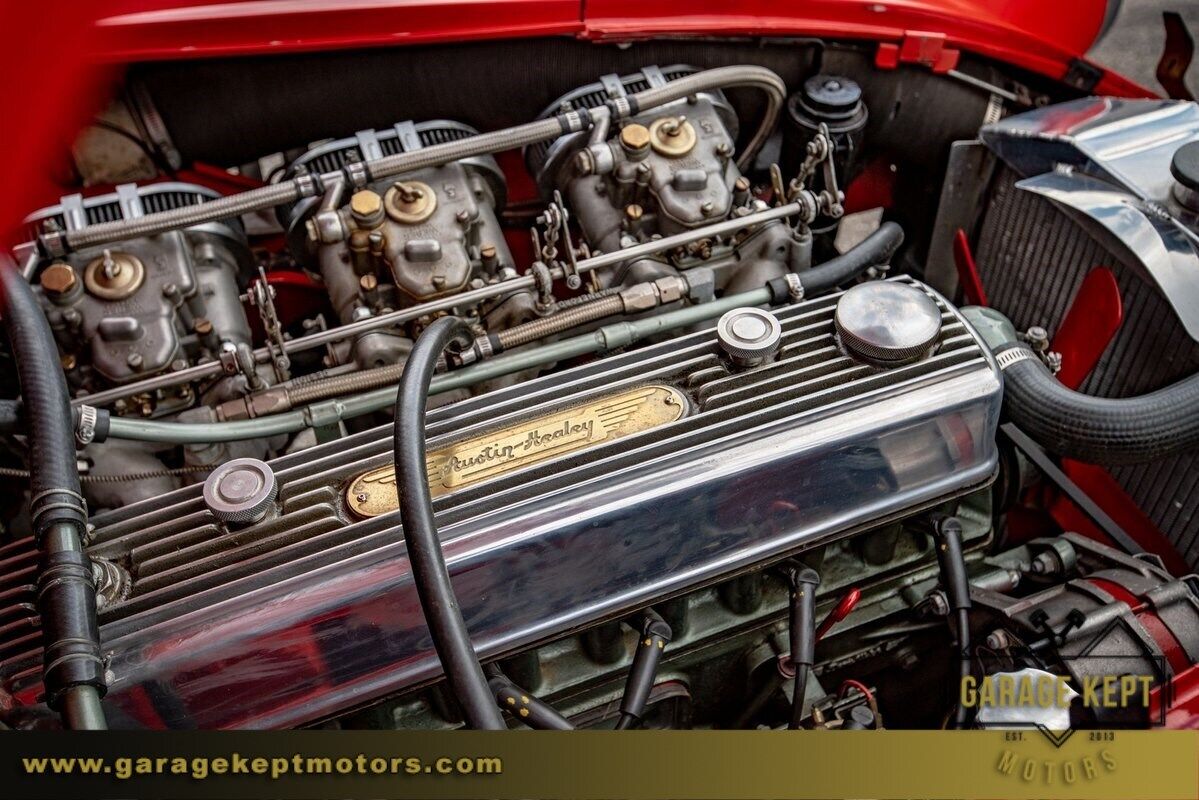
{"x":664,"y":172}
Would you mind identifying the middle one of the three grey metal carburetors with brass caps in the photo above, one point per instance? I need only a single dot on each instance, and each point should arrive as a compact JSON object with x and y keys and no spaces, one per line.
{"x":401,"y":242}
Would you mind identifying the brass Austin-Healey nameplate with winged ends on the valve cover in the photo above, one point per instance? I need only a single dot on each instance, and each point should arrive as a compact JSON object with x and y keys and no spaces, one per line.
{"x":522,"y":446}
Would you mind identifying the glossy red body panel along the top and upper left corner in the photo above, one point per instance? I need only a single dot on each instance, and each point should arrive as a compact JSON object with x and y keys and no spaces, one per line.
{"x":55,"y":76}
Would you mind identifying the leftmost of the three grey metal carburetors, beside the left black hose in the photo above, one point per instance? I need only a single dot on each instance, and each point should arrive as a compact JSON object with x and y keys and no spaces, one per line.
{"x":141,"y":308}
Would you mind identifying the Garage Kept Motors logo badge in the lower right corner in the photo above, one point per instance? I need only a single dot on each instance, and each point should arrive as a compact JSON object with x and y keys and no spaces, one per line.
{"x":1106,"y":684}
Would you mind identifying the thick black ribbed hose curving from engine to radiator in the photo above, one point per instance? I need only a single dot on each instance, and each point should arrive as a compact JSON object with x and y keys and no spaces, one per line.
{"x":1100,"y":430}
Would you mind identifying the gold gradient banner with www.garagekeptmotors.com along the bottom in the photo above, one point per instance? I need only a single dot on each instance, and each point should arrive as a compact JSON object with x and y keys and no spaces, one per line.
{"x":1147,"y":766}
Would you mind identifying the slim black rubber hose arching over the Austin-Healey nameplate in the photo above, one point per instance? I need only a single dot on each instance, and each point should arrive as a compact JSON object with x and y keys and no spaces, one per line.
{"x":433,"y":587}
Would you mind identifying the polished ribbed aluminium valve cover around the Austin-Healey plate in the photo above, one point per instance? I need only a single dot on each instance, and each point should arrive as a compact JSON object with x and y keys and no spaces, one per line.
{"x":312,"y":611}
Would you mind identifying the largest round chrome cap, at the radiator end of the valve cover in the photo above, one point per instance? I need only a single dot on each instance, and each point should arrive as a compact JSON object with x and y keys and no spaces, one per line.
{"x":888,"y":323}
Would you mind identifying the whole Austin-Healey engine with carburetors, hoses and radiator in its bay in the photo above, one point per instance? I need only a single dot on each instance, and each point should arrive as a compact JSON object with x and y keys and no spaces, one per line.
{"x":720,"y":432}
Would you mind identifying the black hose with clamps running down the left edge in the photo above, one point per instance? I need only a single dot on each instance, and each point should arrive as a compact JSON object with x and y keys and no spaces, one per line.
{"x":74,"y":673}
